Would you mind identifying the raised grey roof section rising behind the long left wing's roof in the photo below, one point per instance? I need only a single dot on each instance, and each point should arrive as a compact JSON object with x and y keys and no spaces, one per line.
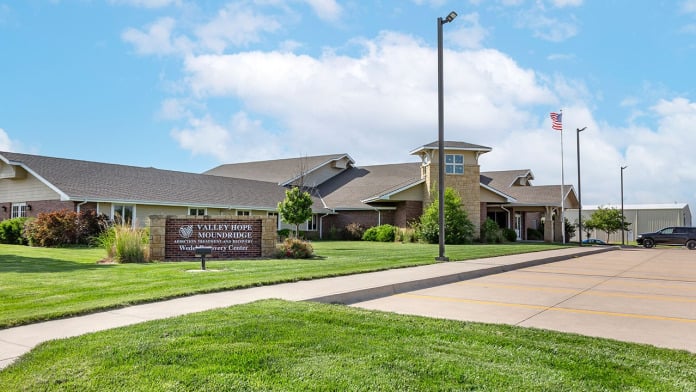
{"x":280,"y":171}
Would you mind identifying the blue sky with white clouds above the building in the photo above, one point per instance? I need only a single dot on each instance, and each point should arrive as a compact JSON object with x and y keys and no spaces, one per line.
{"x":189,"y":85}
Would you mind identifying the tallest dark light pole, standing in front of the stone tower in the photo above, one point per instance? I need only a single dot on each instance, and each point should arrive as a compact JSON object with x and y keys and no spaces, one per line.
{"x":441,"y":135}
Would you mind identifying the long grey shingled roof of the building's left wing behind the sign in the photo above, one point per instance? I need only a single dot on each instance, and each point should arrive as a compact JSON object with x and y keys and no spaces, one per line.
{"x":93,"y":181}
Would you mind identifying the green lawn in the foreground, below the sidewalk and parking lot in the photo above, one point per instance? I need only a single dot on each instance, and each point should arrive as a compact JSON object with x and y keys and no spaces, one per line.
{"x":276,"y":345}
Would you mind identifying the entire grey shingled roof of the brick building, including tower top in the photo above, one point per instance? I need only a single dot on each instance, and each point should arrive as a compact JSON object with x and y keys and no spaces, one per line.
{"x":261,"y":185}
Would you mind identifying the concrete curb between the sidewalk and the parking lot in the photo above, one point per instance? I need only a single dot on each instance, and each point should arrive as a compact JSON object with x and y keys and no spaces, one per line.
{"x":351,"y":297}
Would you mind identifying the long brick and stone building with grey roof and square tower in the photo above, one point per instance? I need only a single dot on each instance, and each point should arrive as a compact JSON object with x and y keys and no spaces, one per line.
{"x":343,"y":192}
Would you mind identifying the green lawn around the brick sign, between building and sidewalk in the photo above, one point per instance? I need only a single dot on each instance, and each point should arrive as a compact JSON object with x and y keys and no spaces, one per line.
{"x":40,"y":284}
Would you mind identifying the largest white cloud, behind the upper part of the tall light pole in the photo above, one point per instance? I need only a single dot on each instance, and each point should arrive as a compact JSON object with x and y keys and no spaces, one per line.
{"x":381,"y":104}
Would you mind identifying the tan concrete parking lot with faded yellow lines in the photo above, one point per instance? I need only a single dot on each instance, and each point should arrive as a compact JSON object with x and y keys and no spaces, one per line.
{"x":637,"y":295}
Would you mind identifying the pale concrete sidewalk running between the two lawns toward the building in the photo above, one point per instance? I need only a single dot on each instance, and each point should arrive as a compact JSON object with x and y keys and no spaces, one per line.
{"x":17,"y":341}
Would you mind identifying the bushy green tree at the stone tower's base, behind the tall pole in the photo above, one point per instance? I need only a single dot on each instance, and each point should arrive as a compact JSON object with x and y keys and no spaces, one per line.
{"x":458,"y":227}
